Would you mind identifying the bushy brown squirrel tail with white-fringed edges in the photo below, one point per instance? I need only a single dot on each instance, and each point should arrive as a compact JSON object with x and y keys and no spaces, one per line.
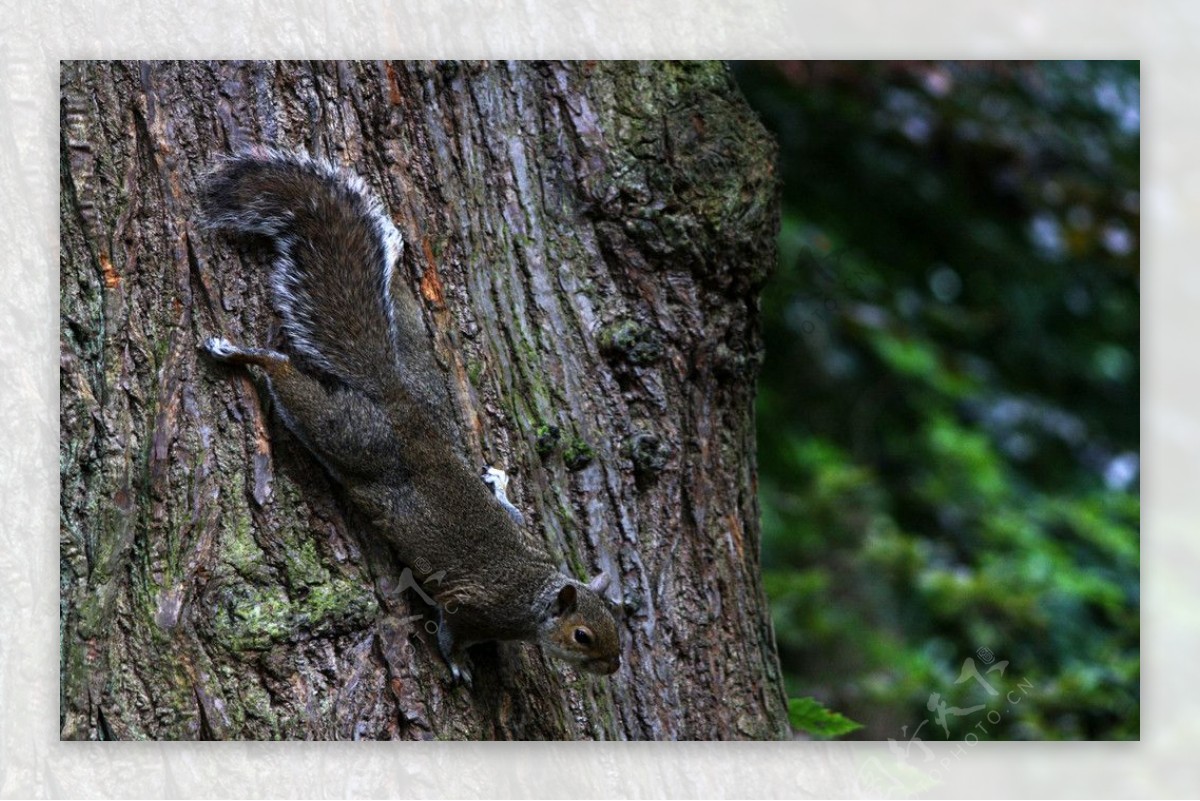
{"x":337,"y":252}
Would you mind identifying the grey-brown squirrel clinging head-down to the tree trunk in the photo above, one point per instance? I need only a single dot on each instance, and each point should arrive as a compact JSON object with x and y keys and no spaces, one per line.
{"x":359,"y":388}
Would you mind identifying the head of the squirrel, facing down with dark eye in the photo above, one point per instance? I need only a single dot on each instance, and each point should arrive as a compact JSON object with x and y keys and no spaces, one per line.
{"x":580,"y":628}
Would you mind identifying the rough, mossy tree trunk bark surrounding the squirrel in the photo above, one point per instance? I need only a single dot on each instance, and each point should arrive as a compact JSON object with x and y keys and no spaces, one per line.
{"x":586,"y":242}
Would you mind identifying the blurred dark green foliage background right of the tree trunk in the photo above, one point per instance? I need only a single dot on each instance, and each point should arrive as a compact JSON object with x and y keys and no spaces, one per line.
{"x":950,"y":411}
